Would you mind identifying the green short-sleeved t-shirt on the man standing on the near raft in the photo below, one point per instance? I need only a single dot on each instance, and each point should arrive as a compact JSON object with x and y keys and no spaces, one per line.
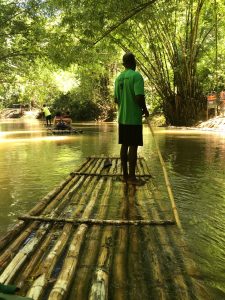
{"x":129,"y":84}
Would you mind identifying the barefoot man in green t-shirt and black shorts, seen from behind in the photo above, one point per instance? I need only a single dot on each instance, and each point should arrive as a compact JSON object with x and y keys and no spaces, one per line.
{"x":129,"y":95}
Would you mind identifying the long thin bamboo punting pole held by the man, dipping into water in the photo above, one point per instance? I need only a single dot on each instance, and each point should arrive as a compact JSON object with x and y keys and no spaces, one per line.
{"x":168,"y":186}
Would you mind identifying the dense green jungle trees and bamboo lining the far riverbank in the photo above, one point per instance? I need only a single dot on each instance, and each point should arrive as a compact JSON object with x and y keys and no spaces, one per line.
{"x":67,"y":53}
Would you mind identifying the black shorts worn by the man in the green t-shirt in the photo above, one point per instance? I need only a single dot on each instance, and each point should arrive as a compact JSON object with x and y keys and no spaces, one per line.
{"x":130,"y":135}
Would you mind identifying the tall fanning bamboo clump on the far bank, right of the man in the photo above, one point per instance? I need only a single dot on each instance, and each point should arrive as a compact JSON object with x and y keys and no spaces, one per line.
{"x":169,"y":42}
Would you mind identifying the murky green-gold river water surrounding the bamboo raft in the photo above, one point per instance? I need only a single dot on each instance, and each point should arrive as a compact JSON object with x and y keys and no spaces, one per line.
{"x":32,"y":163}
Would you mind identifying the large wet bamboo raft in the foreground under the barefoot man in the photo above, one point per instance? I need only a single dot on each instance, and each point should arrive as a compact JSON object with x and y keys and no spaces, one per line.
{"x":95,"y":237}
